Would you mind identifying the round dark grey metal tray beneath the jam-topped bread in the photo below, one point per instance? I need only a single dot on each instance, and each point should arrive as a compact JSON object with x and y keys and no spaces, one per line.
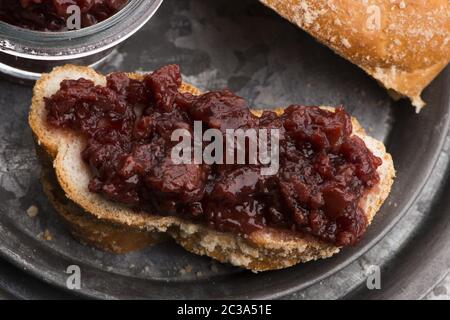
{"x":268,"y":61}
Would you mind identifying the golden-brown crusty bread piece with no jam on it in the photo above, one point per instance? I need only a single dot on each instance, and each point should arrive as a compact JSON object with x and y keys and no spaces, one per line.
{"x":404,"y":44}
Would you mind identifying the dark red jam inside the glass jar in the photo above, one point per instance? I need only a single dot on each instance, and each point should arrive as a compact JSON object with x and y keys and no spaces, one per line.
{"x":51,"y":15}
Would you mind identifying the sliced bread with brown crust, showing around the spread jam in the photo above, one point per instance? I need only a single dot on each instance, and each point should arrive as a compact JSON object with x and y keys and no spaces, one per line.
{"x":267,"y":249}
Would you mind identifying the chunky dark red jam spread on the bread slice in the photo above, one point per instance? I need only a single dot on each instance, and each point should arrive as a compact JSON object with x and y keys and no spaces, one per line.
{"x":324,"y":170}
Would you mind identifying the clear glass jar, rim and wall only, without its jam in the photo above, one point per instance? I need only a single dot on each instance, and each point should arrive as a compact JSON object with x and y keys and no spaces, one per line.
{"x":25,"y":54}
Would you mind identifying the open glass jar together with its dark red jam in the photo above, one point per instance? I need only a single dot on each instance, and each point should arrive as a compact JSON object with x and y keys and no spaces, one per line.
{"x":34,"y":44}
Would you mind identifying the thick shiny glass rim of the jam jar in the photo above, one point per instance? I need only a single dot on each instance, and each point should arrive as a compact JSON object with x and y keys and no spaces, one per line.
{"x":45,"y":45}
